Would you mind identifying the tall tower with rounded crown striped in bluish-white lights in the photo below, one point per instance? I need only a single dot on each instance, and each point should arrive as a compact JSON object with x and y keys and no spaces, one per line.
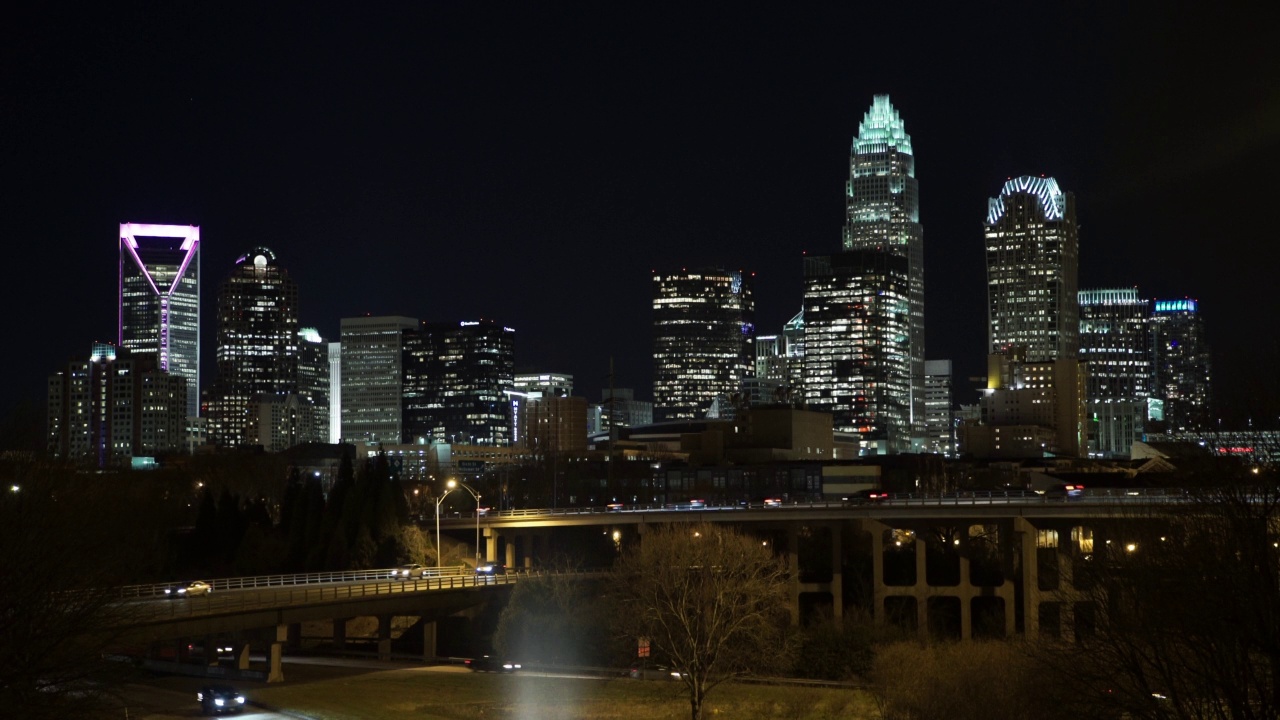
{"x":1032,"y":270}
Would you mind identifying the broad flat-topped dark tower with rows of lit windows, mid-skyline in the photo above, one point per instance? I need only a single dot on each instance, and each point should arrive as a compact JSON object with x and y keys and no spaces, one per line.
{"x":705,"y":340}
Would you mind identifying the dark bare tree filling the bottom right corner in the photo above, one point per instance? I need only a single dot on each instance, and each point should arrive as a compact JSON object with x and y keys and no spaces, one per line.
{"x":1177,"y":614}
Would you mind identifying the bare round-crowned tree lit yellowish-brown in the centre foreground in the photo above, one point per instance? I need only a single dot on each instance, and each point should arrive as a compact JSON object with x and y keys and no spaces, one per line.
{"x":711,"y":601}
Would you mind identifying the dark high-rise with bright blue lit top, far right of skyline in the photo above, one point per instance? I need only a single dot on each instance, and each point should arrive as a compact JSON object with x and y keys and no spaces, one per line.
{"x":1181,"y":367}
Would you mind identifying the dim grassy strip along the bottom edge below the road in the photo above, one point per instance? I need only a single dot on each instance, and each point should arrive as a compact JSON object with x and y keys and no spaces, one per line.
{"x":426,"y":695}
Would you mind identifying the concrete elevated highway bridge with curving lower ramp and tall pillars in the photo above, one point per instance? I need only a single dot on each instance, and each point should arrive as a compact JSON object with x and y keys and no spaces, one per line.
{"x":1037,"y":537}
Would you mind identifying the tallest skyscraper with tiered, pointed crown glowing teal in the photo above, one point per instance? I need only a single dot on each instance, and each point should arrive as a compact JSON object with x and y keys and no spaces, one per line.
{"x":884,"y":215}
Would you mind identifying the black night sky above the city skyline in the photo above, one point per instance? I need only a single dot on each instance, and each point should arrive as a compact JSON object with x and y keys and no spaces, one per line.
{"x":534,"y":162}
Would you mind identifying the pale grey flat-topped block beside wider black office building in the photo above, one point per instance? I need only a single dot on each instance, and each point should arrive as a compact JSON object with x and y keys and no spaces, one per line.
{"x":373,"y":379}
